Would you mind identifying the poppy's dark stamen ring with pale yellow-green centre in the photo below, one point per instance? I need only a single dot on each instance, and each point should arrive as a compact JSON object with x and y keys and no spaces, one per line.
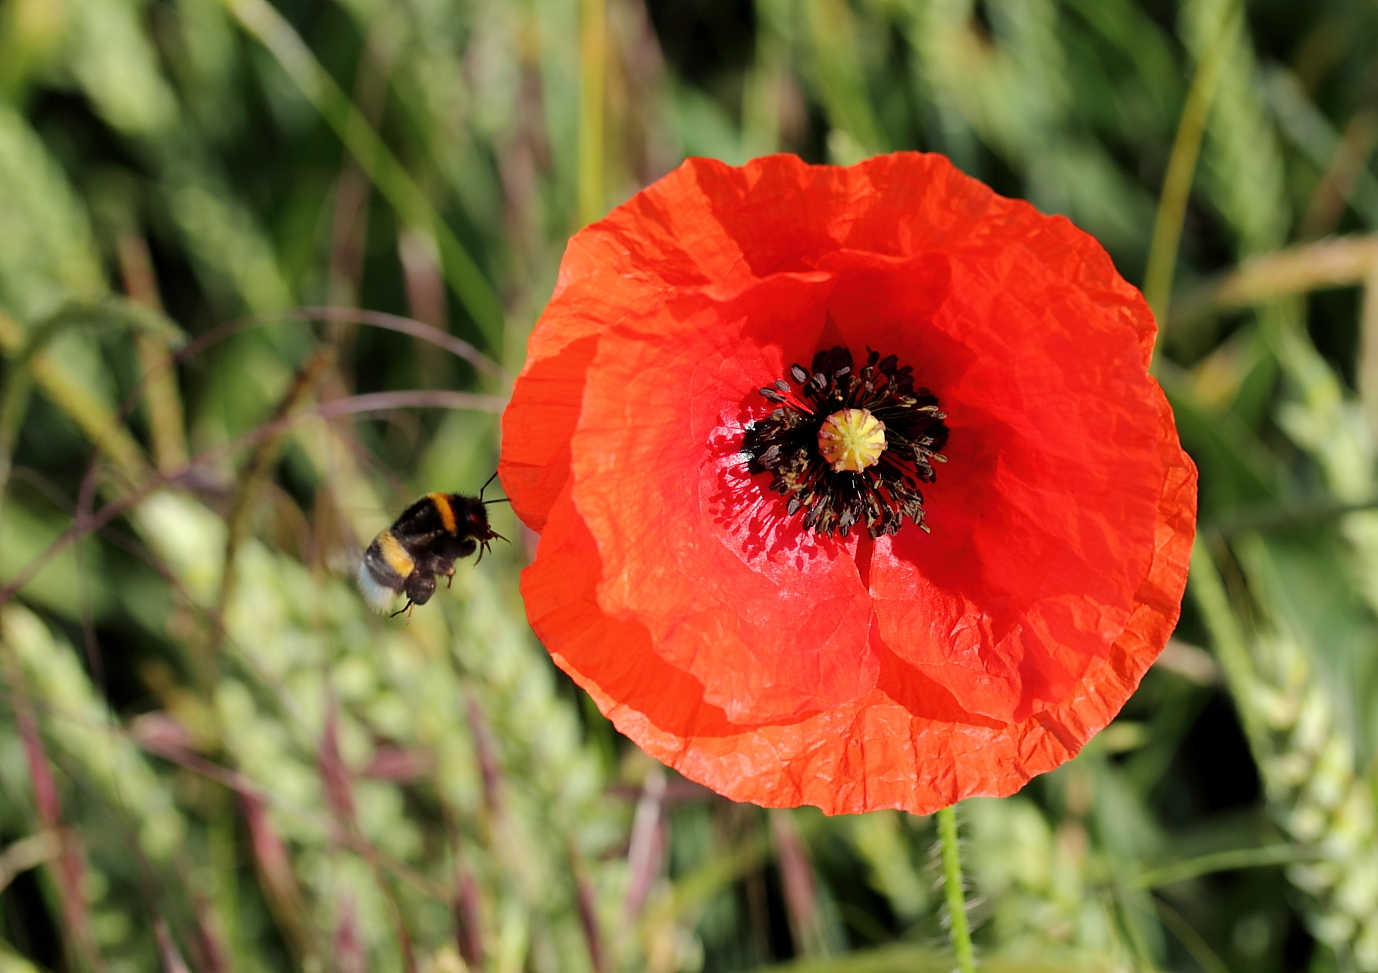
{"x":850,"y":447}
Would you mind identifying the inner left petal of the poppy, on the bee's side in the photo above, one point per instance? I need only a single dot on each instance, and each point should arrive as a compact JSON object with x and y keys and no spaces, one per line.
{"x":775,"y":622}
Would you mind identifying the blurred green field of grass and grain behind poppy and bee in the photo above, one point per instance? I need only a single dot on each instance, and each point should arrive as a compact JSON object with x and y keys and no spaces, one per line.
{"x":265,"y":274}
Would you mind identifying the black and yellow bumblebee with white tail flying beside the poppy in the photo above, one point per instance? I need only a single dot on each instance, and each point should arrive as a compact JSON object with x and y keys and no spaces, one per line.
{"x":424,"y":542}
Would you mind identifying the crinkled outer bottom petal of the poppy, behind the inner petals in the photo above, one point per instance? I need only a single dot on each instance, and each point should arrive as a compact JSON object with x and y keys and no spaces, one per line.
{"x":905,"y":745}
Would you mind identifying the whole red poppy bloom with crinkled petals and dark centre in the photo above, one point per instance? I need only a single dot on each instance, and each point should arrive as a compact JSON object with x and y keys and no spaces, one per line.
{"x":854,"y":487}
